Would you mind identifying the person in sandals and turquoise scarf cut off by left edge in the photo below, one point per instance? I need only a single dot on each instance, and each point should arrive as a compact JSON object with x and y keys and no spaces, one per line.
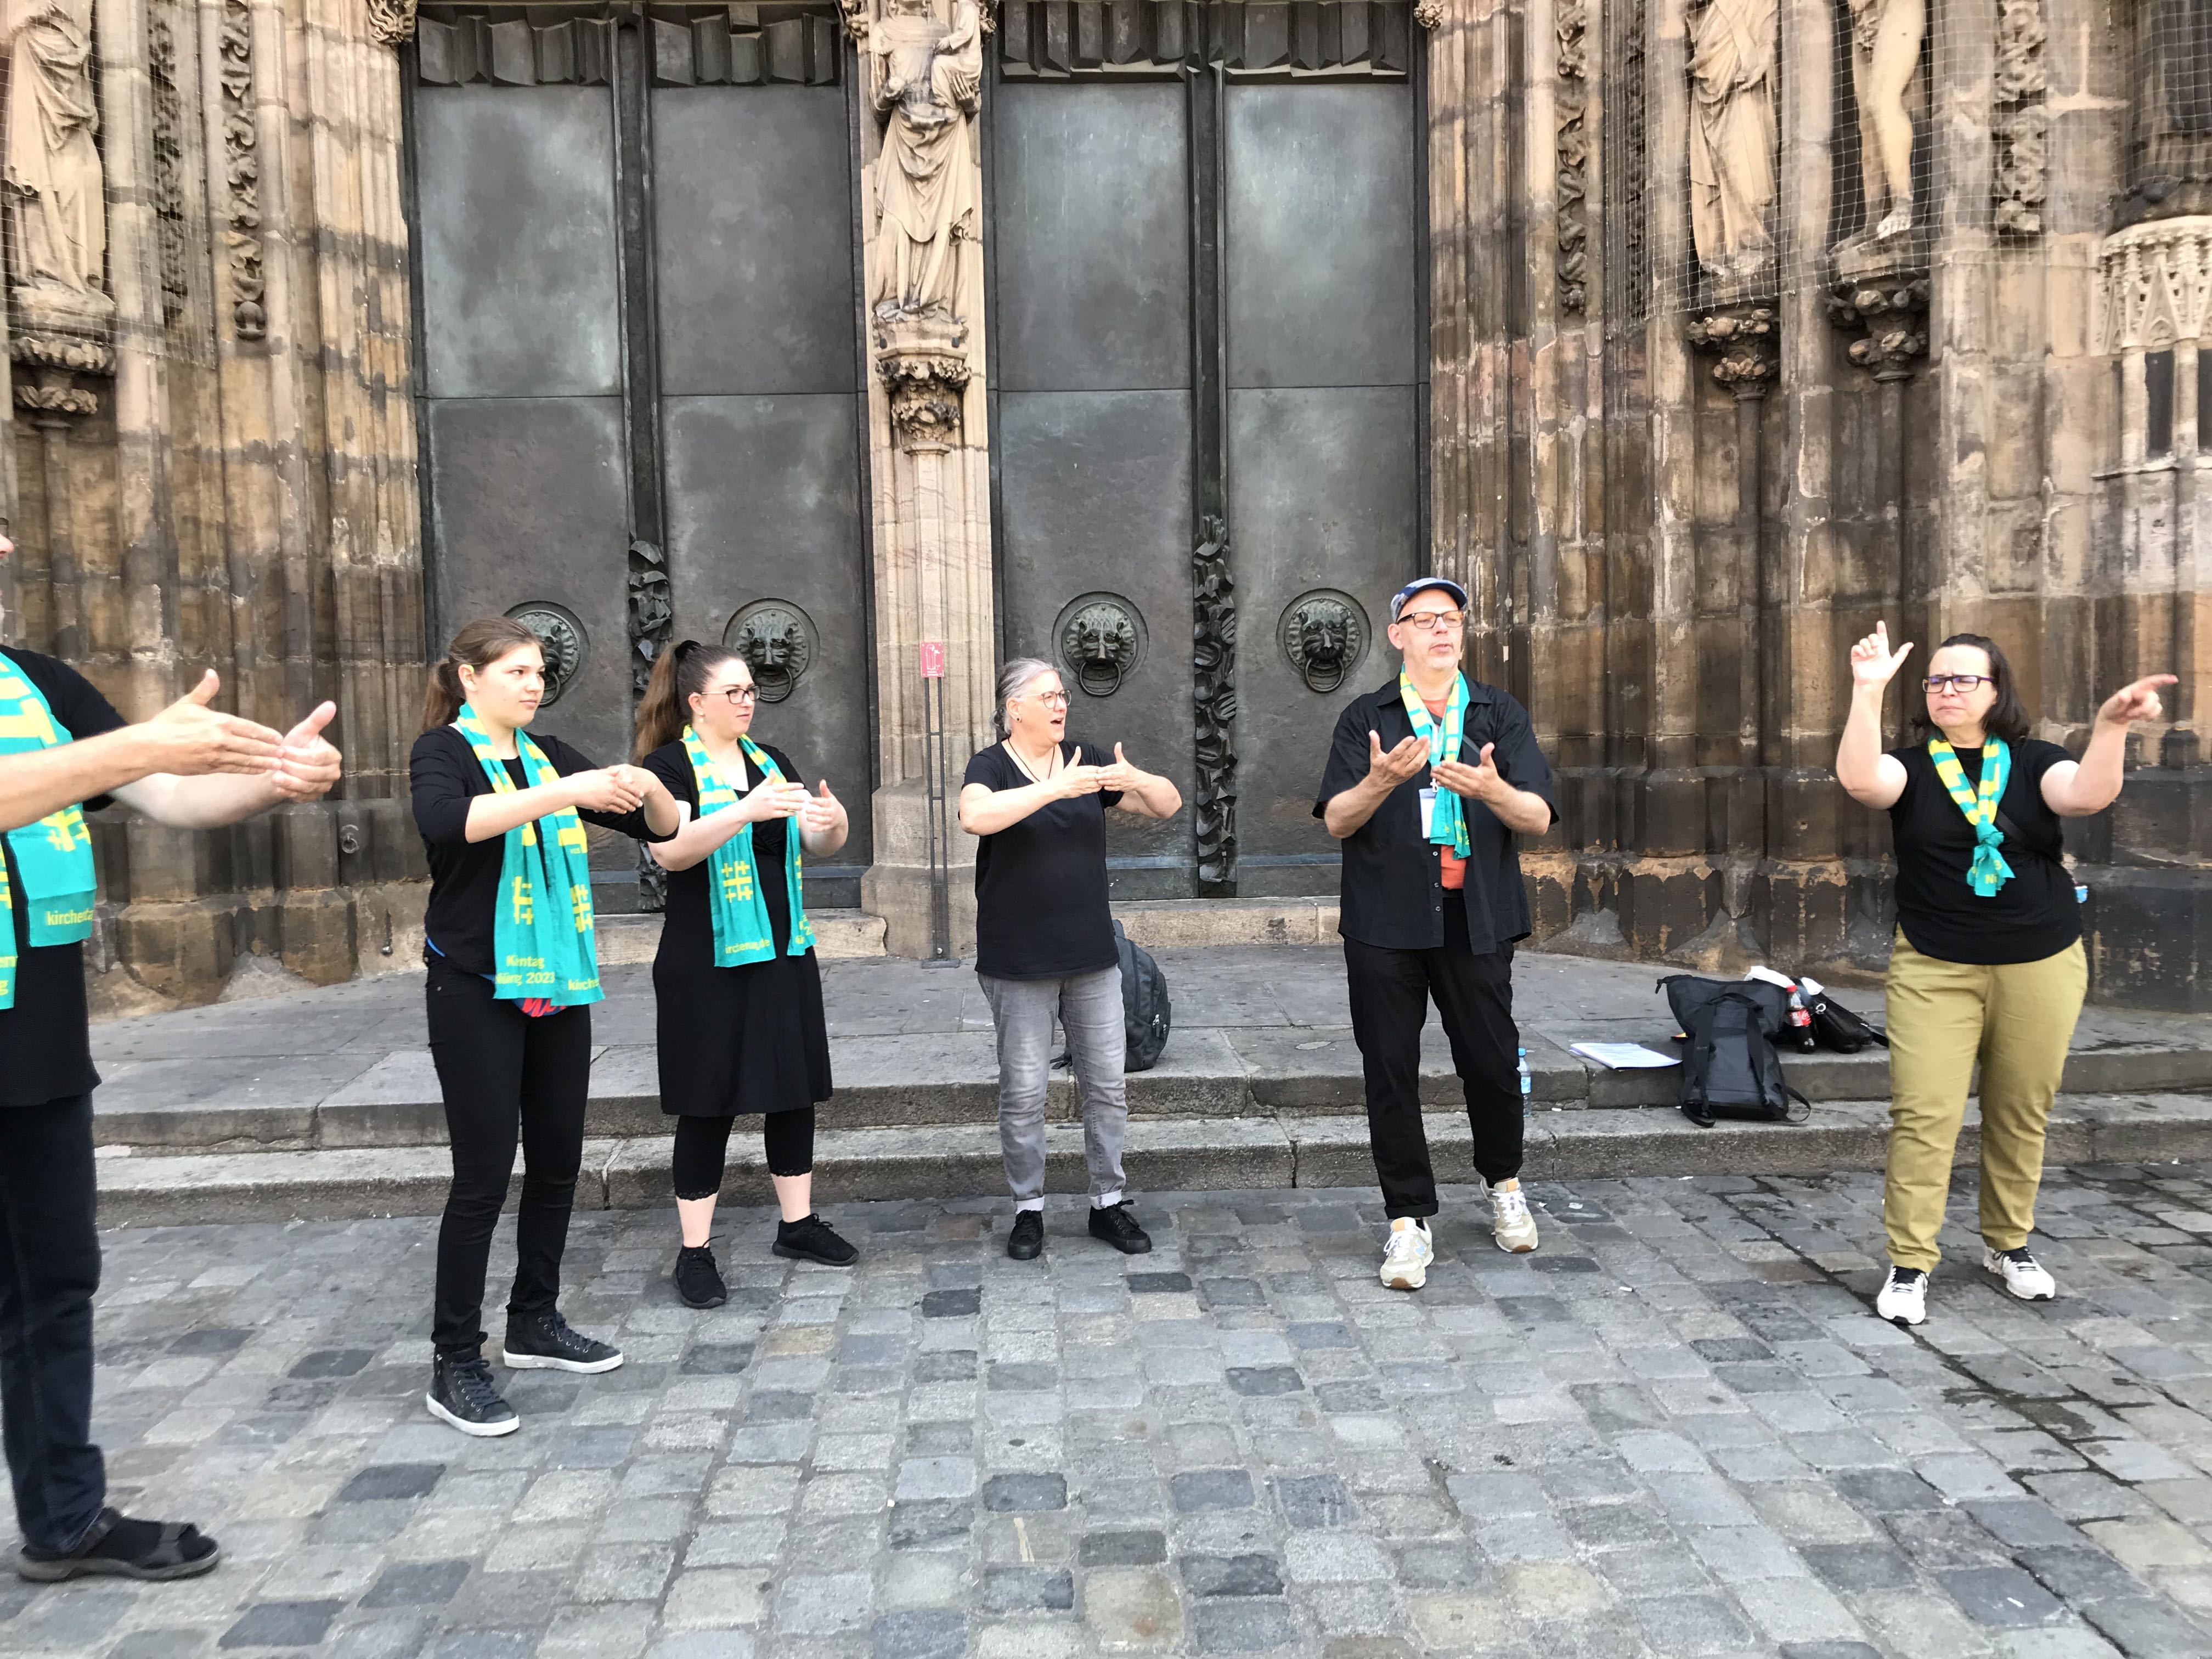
{"x":65,"y":749}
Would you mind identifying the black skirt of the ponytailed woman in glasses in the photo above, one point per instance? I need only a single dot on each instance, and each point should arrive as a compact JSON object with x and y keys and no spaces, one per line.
{"x":742,"y":1041}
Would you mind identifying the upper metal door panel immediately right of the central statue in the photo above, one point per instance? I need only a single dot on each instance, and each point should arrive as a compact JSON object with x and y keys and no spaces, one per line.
{"x":1094,"y":238}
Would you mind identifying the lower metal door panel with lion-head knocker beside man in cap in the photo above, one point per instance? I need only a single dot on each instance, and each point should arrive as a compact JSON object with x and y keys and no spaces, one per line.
{"x":1324,"y":492}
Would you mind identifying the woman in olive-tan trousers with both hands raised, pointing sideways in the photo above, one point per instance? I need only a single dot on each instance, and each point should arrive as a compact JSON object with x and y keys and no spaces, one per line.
{"x":1987,"y":961}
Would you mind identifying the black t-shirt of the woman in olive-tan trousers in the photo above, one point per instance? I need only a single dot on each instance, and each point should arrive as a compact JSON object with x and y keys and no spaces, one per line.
{"x":2030,"y":917}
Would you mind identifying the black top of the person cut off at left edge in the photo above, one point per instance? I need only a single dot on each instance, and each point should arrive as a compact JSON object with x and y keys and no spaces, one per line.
{"x":45,"y":1039}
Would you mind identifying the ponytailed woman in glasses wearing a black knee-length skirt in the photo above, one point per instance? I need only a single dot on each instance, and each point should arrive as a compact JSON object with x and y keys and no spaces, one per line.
{"x":740,"y":994}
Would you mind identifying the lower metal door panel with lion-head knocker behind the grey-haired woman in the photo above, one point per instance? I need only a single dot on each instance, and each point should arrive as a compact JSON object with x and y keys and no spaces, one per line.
{"x":1096,"y":499}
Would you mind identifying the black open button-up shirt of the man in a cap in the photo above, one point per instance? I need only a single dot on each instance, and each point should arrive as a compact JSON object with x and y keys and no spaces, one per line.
{"x":1392,"y":888}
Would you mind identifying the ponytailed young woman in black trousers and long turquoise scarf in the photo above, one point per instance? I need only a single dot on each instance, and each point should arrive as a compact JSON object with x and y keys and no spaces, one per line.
{"x":512,"y":977}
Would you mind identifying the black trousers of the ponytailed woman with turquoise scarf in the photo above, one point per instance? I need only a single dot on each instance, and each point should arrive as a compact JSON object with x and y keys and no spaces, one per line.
{"x":503,"y":1076}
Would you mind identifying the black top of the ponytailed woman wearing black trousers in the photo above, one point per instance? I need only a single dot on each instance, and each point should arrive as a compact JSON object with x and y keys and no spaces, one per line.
{"x":446,"y":778}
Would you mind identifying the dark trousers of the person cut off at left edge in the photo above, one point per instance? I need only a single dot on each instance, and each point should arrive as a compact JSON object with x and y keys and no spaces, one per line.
{"x":50,"y":1269}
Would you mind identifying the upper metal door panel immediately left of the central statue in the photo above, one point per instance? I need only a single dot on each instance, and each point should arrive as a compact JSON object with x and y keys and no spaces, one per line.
{"x":753,"y":240}
